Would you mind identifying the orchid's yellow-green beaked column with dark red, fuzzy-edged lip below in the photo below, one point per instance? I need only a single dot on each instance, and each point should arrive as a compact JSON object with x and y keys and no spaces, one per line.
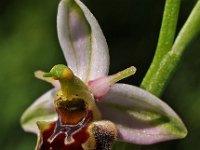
{"x":77,"y":126}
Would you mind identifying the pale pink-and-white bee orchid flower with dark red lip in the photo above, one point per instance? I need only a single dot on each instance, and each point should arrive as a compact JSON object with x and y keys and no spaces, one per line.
{"x":87,"y":109}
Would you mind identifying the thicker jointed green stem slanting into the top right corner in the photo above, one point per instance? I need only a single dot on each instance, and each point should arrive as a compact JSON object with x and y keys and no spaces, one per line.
{"x":168,"y":64}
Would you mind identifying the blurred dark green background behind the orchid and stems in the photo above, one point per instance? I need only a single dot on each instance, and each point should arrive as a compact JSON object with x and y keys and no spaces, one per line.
{"x":28,"y":42}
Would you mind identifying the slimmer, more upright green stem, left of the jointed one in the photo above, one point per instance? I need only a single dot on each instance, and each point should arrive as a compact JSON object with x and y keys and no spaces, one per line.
{"x":166,"y":38}
